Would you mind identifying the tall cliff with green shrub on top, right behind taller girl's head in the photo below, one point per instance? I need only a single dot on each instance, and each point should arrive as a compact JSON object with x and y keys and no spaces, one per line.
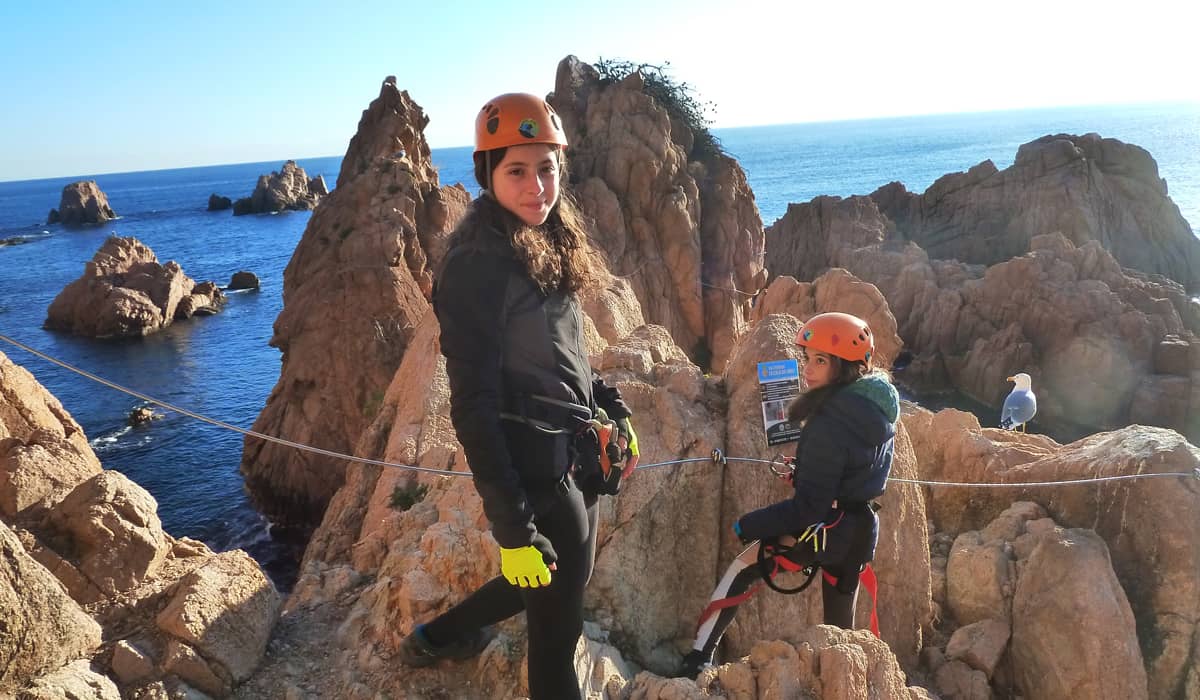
{"x":680,"y":225}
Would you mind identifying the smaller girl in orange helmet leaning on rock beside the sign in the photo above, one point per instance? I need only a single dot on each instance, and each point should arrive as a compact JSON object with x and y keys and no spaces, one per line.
{"x":843,"y":462}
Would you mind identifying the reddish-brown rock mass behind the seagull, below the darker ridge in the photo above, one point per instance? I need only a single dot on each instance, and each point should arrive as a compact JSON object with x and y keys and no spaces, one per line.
{"x":1106,"y":345}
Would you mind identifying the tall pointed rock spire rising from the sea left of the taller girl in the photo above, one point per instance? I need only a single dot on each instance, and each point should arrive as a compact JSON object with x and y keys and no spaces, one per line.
{"x":353,"y":292}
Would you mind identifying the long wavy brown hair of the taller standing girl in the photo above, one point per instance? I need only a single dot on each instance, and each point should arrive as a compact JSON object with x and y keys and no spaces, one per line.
{"x":555,"y":255}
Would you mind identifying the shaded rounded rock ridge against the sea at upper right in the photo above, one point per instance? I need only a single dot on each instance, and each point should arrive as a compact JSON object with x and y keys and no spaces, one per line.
{"x":1083,"y":187}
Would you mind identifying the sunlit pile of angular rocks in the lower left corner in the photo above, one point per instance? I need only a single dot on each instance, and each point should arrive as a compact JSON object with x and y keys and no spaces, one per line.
{"x":85,"y":559}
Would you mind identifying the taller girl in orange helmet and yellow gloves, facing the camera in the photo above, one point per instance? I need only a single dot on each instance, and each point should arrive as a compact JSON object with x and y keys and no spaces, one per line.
{"x":520,"y":392}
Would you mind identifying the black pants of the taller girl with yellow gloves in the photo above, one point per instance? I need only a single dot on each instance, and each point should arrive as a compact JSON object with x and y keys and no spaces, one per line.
{"x":555,"y":613}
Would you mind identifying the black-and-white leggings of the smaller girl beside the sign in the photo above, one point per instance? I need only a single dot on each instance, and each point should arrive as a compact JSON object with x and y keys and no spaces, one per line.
{"x":838,"y":601}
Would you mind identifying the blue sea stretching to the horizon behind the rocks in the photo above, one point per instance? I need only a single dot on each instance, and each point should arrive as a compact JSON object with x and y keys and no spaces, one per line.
{"x":223,"y":367}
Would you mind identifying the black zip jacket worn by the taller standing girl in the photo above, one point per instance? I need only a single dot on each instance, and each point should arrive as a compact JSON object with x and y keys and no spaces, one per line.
{"x":503,"y":339}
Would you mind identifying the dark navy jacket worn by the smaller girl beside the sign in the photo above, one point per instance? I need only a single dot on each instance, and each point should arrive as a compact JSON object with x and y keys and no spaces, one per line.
{"x":844,"y":453}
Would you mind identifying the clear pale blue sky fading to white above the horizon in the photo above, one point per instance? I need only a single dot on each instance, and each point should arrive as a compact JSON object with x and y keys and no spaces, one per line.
{"x":112,"y":87}
